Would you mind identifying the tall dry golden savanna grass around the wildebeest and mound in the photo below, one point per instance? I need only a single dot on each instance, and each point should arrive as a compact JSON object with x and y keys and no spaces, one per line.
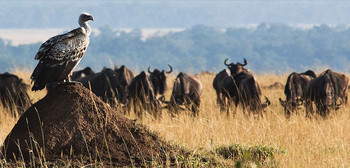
{"x":304,"y":142}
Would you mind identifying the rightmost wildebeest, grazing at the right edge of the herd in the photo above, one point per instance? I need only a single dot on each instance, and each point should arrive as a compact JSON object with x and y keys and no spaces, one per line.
{"x":328,"y":92}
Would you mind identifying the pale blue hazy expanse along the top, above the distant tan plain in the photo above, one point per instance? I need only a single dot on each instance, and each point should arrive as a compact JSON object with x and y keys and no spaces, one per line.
{"x":170,"y":14}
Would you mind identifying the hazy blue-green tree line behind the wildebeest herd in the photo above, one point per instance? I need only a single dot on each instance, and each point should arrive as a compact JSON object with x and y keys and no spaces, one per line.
{"x":271,"y":48}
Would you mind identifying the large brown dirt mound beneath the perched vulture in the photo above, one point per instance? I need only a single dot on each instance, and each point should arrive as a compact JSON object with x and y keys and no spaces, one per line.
{"x":76,"y":124}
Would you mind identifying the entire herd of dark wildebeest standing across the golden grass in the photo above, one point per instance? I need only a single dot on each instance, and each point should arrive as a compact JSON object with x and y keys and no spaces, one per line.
{"x":234,"y":86}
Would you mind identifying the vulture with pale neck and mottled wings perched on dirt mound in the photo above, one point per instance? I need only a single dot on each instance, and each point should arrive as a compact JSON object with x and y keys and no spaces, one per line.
{"x":60,"y":54}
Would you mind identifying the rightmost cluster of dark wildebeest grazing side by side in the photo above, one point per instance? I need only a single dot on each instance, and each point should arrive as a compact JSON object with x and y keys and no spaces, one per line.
{"x":327,"y":92}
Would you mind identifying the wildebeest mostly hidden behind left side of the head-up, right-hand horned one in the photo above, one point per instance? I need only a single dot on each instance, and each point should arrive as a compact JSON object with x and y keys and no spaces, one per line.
{"x":217,"y":86}
